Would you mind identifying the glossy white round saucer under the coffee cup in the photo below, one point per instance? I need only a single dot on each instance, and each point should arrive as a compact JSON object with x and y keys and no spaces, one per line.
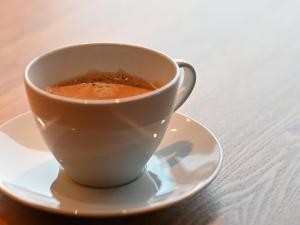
{"x":187,"y":160}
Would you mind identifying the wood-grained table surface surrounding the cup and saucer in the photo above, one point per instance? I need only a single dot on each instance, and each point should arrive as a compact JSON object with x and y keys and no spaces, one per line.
{"x":246,"y":54}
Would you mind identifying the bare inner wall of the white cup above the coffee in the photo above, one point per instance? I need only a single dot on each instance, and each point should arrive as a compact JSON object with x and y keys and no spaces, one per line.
{"x":68,"y":63}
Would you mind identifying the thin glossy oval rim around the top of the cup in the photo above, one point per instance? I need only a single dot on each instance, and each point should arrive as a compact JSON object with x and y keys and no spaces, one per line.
{"x":100,"y":101}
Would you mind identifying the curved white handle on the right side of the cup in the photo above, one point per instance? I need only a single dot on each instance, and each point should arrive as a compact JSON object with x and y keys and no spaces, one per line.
{"x":187,"y":83}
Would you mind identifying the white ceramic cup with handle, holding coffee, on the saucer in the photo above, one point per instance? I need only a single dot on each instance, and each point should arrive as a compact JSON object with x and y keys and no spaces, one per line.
{"x":104,"y":143}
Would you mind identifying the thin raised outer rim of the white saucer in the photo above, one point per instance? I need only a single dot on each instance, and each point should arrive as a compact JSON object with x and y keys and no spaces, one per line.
{"x":119,"y":213}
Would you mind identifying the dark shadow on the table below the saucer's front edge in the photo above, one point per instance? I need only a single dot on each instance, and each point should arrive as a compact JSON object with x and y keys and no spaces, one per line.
{"x":203,"y":209}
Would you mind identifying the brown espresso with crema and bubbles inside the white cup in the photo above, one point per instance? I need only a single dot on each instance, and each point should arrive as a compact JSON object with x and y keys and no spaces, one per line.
{"x":103,"y":85}
